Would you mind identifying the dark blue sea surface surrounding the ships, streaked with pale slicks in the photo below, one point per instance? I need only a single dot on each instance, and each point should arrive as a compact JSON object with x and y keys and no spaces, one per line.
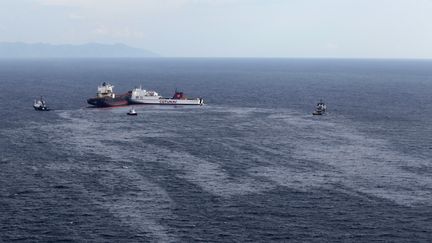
{"x":252,"y":165}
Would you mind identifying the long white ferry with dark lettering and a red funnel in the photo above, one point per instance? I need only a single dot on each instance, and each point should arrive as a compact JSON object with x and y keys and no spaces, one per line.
{"x":150,"y":97}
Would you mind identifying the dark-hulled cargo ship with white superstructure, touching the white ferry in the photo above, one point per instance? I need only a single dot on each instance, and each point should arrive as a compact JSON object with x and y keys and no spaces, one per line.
{"x":105,"y":97}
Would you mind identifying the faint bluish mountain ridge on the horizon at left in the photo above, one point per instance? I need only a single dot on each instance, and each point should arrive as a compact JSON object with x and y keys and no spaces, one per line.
{"x":43,"y":50}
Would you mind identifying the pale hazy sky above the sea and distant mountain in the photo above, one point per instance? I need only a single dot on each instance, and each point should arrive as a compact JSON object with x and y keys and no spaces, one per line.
{"x":230,"y":28}
